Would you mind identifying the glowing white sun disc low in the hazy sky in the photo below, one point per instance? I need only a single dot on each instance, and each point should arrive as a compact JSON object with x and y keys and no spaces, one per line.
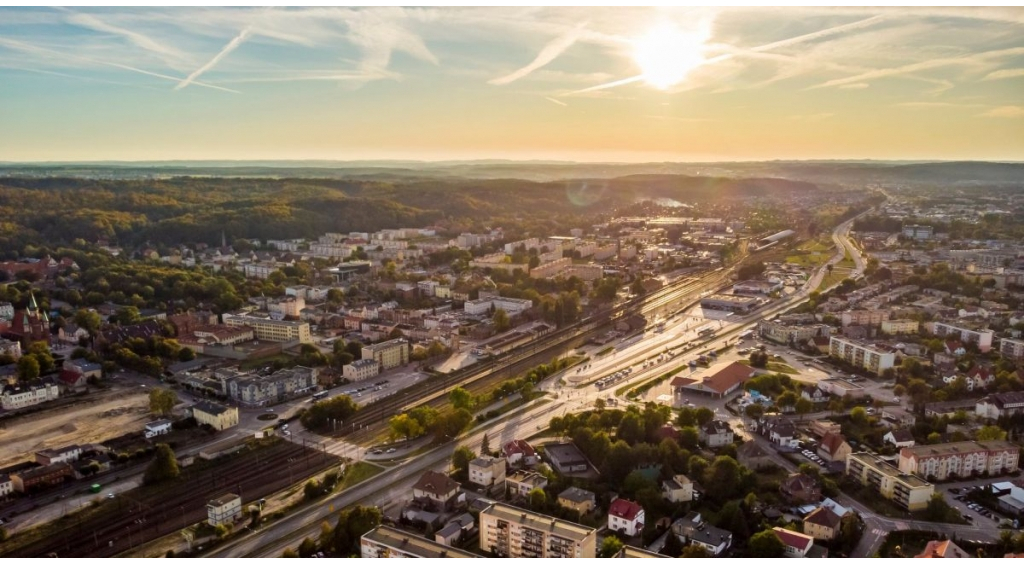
{"x":666,"y":55}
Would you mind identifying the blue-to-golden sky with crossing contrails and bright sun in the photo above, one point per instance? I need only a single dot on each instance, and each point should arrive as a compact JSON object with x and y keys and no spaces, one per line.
{"x":576,"y":84}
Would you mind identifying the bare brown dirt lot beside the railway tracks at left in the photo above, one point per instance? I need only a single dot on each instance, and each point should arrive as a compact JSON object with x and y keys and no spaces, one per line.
{"x":75,"y":424}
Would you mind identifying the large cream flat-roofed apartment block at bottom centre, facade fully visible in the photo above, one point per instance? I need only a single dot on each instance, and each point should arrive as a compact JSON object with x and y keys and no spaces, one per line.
{"x":509,"y":532}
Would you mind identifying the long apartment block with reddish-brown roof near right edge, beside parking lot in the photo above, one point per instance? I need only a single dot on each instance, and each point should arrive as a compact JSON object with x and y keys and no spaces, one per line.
{"x":960,"y":460}
